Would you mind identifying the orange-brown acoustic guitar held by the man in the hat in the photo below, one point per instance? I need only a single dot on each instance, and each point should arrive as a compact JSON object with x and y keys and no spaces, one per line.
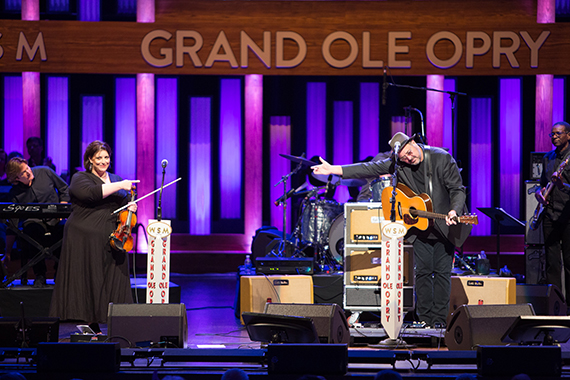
{"x":416,"y":210}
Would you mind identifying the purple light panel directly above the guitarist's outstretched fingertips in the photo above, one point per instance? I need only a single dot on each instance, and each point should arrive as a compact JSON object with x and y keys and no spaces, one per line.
{"x":316,"y":119}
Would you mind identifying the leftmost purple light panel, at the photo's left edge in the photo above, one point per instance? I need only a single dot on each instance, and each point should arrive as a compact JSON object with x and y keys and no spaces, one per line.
{"x":13,"y":114}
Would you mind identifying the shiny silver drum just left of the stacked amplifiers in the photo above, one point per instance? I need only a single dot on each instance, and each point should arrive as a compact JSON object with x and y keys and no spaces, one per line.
{"x":317,"y":218}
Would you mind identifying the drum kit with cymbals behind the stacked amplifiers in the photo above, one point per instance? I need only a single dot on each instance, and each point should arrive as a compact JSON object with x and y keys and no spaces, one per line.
{"x":320,"y":225}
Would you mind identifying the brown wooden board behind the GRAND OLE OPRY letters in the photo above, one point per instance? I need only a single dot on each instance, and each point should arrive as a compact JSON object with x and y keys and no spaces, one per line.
{"x":115,"y":47}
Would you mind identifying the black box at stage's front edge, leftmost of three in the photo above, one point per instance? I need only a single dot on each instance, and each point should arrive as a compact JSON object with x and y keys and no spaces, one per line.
{"x":78,"y":357}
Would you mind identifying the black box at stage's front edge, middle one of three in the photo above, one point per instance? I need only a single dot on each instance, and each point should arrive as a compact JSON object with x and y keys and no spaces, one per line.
{"x":307,"y":359}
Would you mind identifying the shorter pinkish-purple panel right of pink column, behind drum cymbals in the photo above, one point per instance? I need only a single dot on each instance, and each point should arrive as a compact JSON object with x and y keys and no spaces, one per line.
{"x":279,"y":143}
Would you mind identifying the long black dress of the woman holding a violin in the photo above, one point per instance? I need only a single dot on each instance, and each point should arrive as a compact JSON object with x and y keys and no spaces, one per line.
{"x":91,"y":274}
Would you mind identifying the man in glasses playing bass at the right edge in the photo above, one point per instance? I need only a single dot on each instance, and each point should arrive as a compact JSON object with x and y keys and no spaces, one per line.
{"x":556,"y":219}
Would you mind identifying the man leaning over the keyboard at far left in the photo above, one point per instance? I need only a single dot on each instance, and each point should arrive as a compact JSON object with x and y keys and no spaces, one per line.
{"x":39,"y":184}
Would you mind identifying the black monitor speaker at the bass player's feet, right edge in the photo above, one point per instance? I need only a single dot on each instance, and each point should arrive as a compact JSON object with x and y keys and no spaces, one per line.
{"x":546,"y":299}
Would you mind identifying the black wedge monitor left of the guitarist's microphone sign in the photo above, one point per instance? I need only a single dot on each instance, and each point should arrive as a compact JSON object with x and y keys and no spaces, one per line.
{"x":329,"y":319}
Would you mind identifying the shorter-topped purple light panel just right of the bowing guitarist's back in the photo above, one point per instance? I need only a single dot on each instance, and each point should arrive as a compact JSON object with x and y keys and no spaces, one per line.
{"x":480,"y":190}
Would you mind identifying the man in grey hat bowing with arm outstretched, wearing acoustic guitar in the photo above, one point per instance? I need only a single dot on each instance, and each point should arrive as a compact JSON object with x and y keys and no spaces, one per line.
{"x":432,"y":171}
